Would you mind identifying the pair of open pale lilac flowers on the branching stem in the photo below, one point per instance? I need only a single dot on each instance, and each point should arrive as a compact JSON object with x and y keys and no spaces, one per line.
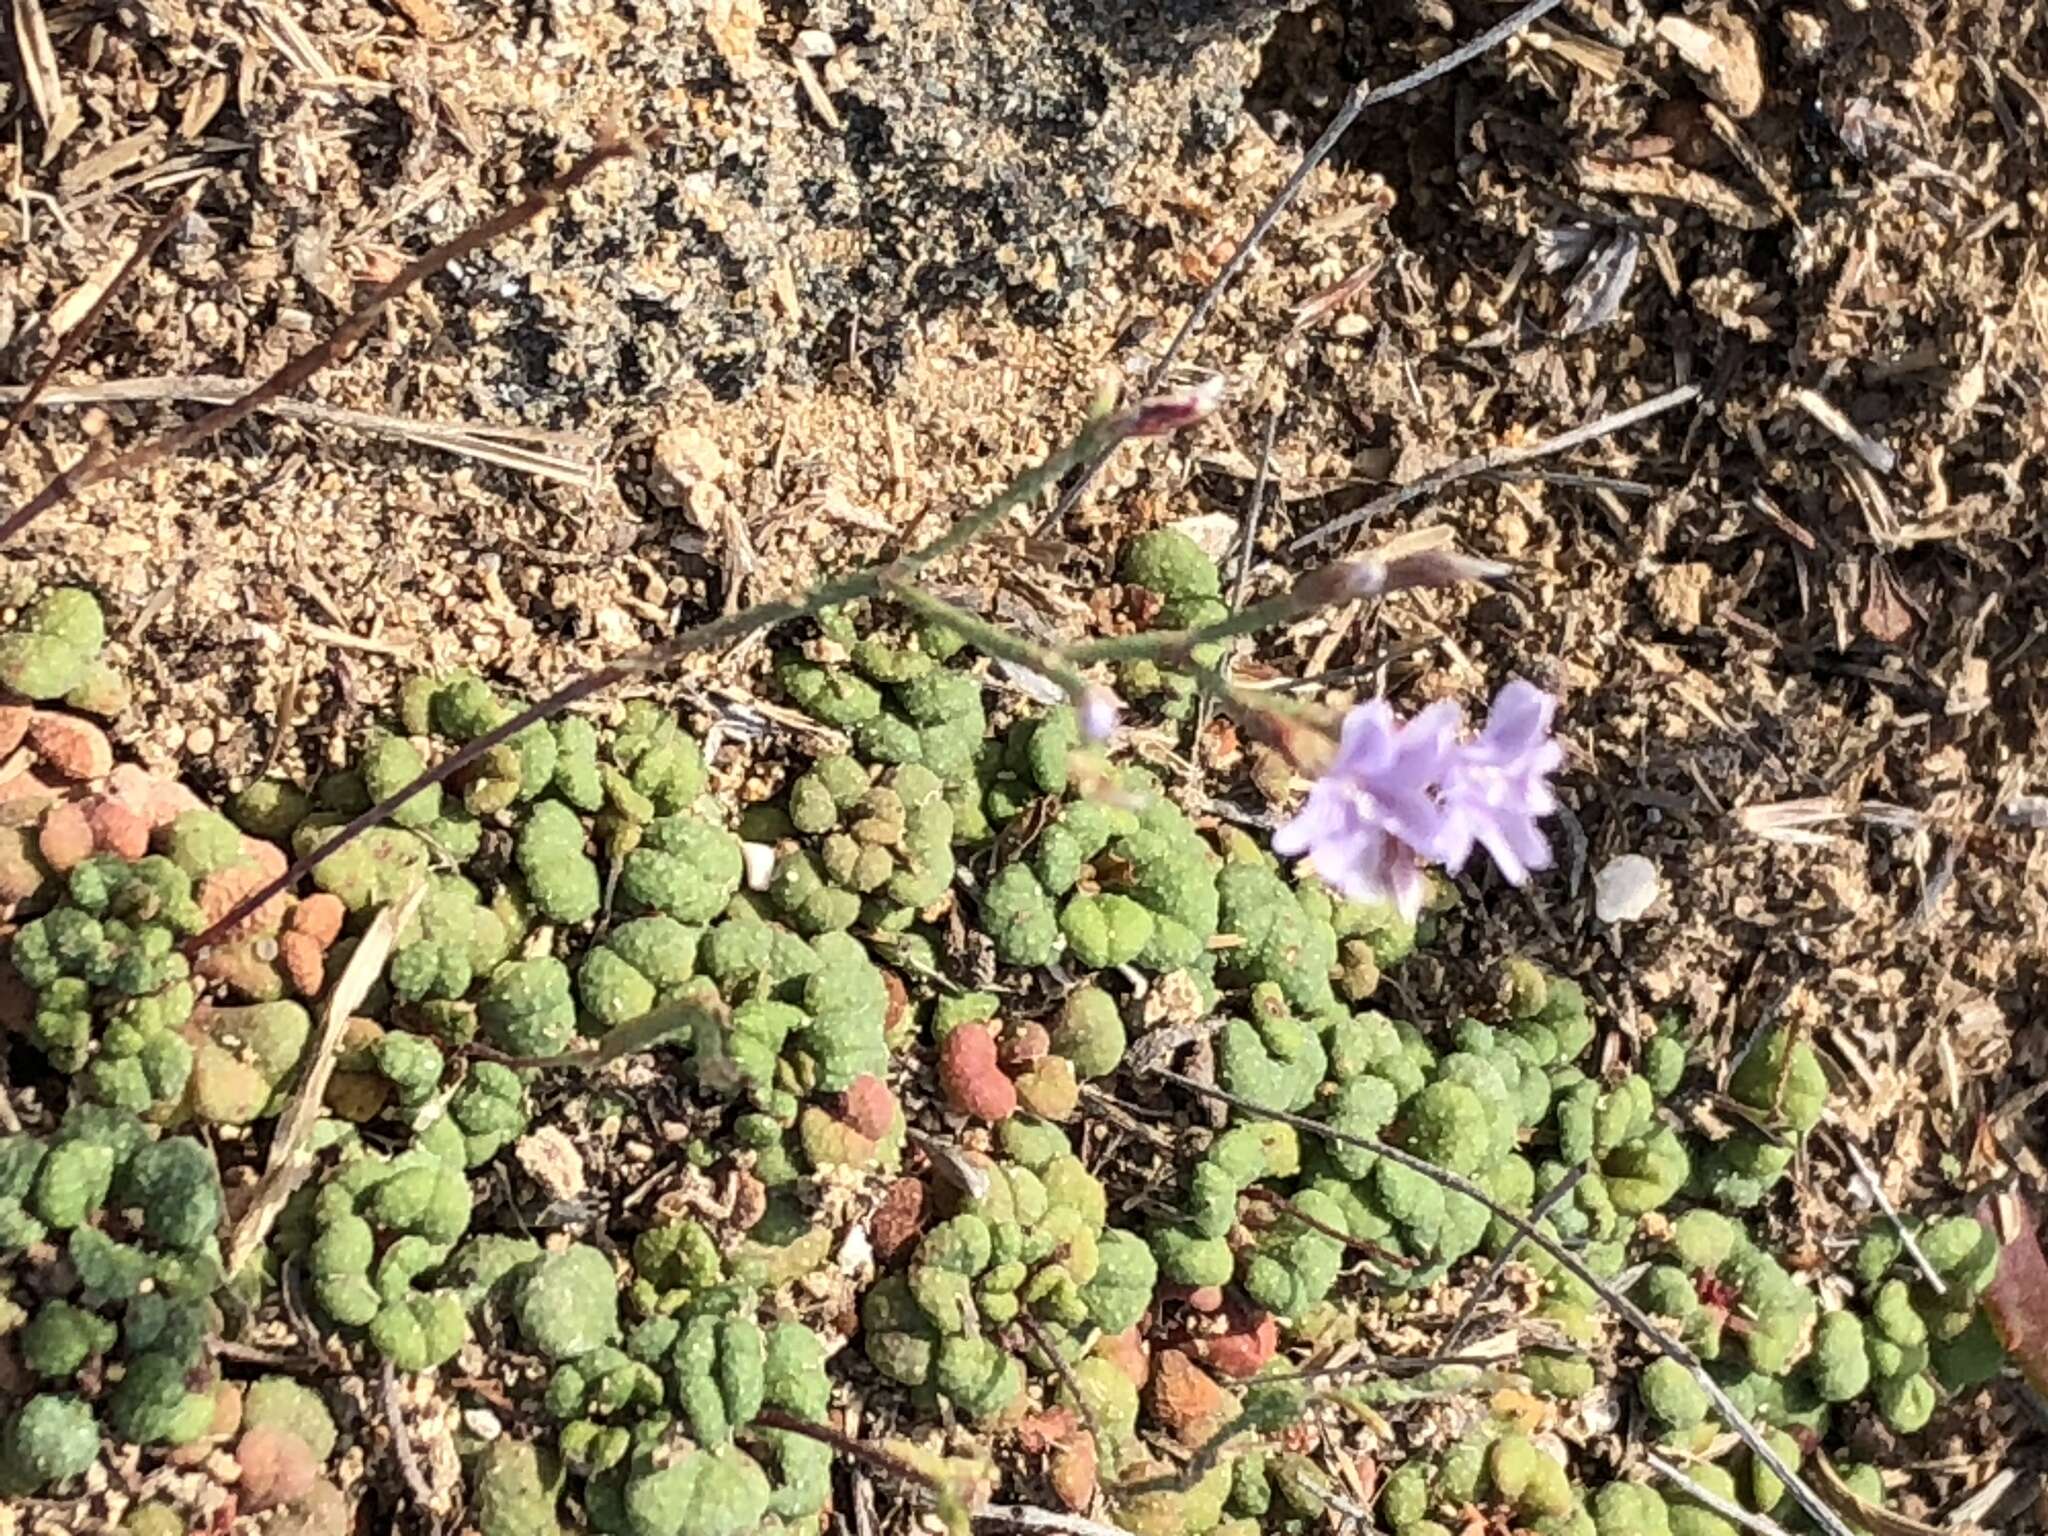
{"x":1410,"y":794}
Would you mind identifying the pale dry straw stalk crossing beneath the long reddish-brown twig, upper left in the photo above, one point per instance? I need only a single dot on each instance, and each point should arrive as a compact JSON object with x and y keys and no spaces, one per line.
{"x":566,"y":458}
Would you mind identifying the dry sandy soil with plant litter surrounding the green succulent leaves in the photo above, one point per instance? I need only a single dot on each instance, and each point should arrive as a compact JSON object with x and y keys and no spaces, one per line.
{"x":873,"y":263}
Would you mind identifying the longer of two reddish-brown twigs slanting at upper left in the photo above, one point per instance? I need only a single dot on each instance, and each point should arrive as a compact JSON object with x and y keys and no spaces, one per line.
{"x":323,"y":355}
